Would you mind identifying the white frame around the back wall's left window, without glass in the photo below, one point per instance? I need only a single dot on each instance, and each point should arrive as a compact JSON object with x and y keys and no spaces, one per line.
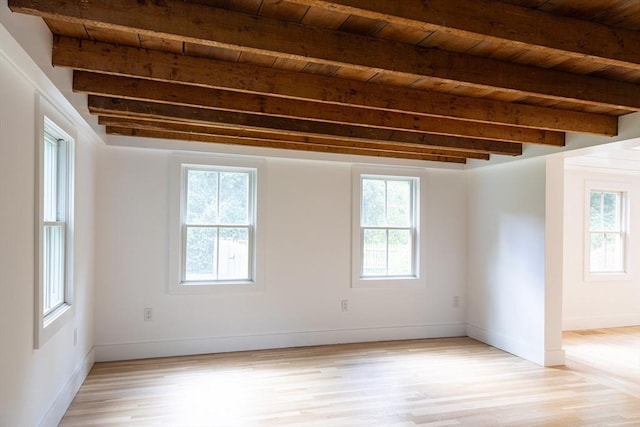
{"x":177,"y":245}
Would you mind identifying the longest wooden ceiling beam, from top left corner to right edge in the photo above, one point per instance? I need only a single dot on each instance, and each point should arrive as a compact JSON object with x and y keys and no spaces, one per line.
{"x":180,"y":21}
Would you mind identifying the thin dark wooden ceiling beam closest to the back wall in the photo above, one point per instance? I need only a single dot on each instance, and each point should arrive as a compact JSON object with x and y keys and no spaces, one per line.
{"x":143,"y":133}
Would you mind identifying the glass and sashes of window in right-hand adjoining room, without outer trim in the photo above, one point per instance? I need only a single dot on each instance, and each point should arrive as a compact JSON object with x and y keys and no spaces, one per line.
{"x":606,"y":232}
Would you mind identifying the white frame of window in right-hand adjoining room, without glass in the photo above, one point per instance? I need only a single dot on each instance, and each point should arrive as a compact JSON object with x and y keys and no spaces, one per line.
{"x":624,"y":189}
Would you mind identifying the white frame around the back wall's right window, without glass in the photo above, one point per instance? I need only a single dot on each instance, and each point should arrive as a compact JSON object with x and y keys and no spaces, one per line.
{"x":416,"y":279}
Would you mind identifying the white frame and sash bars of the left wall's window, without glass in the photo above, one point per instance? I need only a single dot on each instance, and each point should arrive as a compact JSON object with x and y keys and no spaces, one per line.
{"x":51,"y":122}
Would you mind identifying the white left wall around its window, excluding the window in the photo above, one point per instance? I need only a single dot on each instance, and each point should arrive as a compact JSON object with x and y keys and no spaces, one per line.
{"x":37,"y":385}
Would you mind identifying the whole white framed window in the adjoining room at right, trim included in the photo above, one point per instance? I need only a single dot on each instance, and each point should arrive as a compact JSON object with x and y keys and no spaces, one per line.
{"x":606,"y":231}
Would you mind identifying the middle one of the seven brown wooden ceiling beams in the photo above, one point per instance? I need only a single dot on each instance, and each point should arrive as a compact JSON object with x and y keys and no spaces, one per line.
{"x":142,"y":89}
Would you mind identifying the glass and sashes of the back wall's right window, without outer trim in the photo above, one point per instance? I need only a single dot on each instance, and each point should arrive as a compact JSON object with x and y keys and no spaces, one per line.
{"x":388,"y":223}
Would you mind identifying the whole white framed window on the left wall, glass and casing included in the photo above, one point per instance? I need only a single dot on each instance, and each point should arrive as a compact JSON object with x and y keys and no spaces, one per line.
{"x":54,"y":225}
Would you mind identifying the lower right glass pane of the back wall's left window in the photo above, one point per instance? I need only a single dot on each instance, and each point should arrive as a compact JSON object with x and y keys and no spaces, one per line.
{"x":233,"y":255}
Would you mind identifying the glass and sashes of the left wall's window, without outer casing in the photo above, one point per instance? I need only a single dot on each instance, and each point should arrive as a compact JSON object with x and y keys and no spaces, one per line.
{"x":55,"y":208}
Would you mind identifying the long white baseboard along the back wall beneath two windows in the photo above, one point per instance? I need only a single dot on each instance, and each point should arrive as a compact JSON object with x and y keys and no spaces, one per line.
{"x":183,"y":347}
